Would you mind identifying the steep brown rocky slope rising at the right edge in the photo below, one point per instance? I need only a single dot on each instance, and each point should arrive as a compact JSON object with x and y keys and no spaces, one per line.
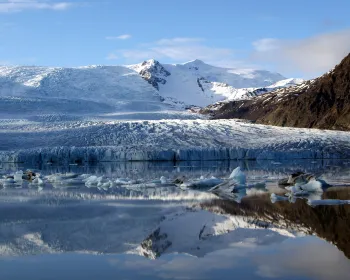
{"x":321,"y":103}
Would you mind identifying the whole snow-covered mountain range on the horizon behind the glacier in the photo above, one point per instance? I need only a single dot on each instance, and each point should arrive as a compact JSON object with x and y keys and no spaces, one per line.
{"x":147,"y":86}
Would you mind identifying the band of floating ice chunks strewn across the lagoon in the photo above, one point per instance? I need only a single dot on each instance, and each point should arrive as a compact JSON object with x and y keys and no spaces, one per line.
{"x":235,"y":187}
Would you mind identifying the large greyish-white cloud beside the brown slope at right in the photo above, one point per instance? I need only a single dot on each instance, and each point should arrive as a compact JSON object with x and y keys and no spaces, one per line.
{"x":311,"y":56}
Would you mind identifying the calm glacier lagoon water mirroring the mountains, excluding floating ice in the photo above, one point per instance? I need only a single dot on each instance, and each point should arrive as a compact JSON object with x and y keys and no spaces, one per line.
{"x":147,"y":229}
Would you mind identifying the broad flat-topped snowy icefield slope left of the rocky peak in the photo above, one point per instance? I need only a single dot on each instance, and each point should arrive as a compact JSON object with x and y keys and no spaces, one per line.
{"x":103,"y":84}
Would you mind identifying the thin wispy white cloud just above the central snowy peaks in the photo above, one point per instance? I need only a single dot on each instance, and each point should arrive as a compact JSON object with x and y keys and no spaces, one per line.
{"x":178,"y":49}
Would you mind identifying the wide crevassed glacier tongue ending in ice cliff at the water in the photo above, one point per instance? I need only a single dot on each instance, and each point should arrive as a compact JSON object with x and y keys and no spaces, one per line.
{"x":164,"y":140}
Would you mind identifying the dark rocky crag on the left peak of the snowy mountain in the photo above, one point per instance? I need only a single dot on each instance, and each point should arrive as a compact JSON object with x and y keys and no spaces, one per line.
{"x":154,"y":73}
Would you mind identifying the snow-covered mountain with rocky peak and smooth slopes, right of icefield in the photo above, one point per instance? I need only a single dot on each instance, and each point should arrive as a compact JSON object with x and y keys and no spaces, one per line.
{"x":200,"y":84}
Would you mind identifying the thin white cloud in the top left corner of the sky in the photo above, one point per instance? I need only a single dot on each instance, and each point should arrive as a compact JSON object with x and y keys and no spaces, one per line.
{"x":9,"y":6}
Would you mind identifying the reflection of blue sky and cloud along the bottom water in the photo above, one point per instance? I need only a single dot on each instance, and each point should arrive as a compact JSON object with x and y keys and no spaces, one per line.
{"x":302,"y":258}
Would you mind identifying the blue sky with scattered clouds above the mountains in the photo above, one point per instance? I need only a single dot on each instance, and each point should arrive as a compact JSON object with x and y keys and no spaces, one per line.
{"x":299,"y":38}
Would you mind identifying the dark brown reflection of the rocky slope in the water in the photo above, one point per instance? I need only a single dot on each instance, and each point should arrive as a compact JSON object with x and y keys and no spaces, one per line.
{"x":331,"y":223}
